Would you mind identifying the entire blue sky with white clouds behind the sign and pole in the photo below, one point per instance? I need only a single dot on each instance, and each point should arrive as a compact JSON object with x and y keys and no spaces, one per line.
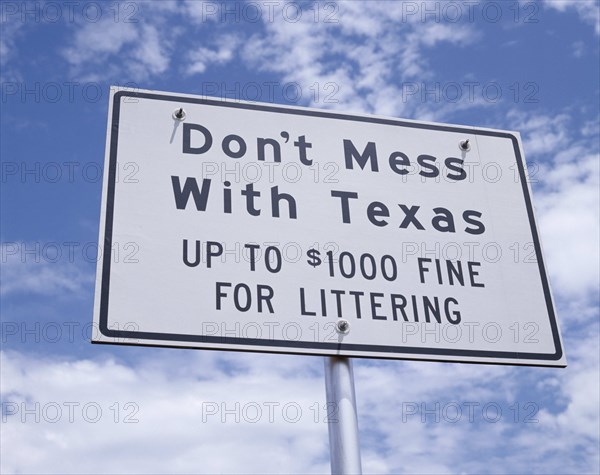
{"x":532,"y":67}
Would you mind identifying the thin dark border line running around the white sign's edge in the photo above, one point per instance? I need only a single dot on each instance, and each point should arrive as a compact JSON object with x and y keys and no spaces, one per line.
{"x":295,"y":347}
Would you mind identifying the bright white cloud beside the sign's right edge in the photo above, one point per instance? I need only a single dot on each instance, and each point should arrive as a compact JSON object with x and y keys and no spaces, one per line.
{"x":567,"y":198}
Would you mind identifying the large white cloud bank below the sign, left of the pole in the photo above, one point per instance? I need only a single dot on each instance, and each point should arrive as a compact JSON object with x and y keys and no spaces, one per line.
{"x":179,"y":410}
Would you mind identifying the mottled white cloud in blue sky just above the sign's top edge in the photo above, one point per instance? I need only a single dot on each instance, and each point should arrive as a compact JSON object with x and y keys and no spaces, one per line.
{"x":368,"y":53}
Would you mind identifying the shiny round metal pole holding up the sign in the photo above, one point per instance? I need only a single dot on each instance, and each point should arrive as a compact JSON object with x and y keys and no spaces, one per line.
{"x":344,"y":446}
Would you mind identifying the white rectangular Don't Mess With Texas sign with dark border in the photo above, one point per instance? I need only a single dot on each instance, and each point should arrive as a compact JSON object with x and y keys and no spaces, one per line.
{"x":245,"y":226}
